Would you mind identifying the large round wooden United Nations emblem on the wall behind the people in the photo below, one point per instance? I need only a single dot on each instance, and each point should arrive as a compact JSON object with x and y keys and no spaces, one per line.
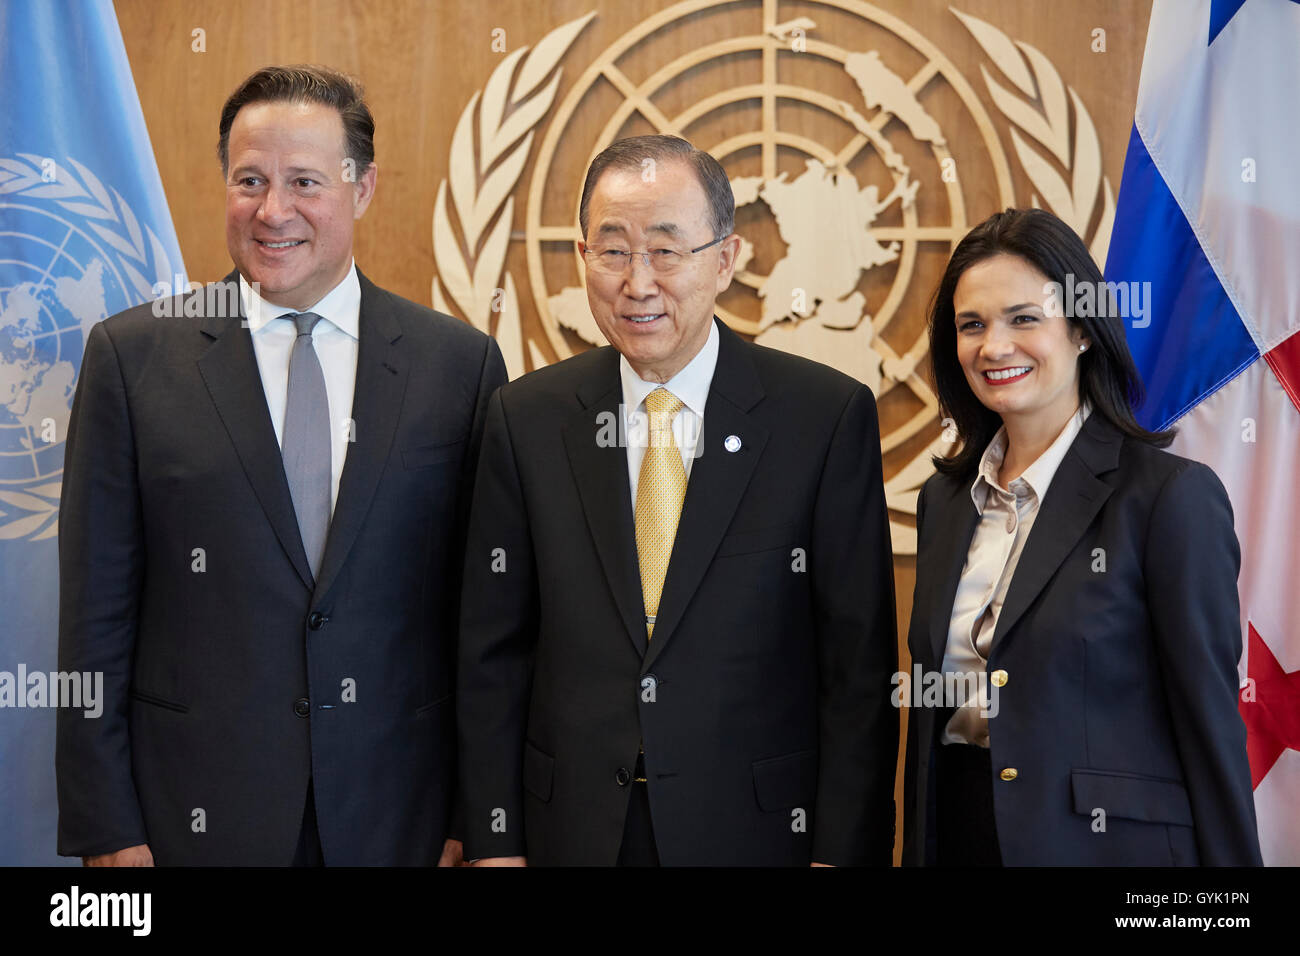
{"x":846,"y":181}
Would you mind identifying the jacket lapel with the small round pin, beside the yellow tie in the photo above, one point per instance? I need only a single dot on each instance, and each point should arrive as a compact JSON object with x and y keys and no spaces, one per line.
{"x":718,"y":482}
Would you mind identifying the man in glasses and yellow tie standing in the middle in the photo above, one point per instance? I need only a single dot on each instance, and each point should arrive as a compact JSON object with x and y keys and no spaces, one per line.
{"x":678,"y":629}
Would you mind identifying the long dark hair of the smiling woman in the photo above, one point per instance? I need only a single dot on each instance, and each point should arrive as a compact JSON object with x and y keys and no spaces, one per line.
{"x":1108,"y":378}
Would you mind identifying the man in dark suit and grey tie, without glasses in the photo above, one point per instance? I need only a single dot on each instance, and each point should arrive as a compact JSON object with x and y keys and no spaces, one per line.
{"x":262,"y":533}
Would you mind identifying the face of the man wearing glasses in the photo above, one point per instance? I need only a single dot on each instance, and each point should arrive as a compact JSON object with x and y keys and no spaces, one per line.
{"x":660,"y":323}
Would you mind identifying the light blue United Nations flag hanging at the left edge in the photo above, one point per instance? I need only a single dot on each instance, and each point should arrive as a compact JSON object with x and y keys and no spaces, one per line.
{"x":85,"y":233}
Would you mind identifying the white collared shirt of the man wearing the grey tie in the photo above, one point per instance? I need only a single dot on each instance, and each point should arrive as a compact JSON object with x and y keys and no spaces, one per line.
{"x":336,"y":341}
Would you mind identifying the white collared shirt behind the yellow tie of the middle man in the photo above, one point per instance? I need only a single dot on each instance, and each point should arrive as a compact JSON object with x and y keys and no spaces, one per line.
{"x":691,"y":386}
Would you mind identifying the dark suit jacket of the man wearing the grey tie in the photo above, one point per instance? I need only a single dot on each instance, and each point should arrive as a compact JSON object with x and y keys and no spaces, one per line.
{"x":228,"y":687}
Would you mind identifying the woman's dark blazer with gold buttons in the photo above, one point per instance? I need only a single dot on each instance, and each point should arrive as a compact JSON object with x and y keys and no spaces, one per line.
{"x":1120,"y":639}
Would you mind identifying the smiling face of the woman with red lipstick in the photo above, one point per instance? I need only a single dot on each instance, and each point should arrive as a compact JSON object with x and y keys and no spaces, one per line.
{"x":1021,"y":358}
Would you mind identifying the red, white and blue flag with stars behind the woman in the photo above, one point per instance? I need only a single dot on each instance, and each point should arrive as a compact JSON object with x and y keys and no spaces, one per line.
{"x":1210,"y":214}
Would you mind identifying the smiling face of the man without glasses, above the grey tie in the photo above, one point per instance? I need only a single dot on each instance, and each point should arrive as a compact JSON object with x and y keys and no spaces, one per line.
{"x":289,"y":207}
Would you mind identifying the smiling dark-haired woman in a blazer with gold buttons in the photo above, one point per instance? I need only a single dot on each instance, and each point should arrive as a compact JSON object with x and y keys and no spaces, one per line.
{"x":1076,"y":574}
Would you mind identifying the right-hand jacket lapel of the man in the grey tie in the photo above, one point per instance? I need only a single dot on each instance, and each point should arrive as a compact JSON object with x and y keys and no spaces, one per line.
{"x":382,"y":378}
